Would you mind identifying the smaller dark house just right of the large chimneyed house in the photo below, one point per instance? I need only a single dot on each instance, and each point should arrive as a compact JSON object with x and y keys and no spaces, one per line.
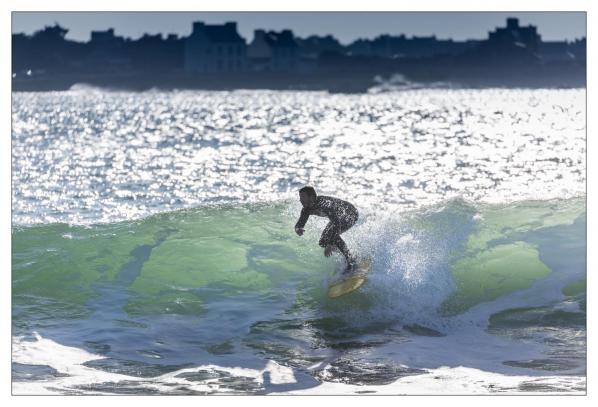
{"x":274,"y":52}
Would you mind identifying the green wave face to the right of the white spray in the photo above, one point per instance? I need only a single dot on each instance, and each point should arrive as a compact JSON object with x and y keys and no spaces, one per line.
{"x":513,"y":246}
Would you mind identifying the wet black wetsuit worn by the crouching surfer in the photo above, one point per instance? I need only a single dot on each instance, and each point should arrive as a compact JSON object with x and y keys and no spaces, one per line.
{"x":342,"y":216}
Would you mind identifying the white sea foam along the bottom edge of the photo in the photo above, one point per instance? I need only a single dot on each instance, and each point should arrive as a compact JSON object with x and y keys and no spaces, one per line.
{"x":443,"y":380}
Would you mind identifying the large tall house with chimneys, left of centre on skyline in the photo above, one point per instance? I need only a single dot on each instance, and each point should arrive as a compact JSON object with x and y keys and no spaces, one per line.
{"x":215,"y":49}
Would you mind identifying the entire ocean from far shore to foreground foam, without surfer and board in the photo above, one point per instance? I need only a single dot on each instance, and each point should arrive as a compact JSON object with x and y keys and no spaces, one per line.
{"x":153,"y":249}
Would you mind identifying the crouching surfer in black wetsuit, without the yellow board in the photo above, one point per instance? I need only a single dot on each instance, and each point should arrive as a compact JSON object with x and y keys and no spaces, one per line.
{"x":342,"y":216}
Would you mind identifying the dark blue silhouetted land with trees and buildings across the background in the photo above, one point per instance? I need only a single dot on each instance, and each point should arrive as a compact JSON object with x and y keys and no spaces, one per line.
{"x":216,"y":56}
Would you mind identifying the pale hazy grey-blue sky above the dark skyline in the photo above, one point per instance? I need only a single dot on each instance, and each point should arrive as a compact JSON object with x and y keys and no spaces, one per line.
{"x":345,"y":26}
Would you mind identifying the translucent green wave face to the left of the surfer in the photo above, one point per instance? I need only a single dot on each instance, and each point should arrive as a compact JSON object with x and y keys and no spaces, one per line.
{"x":161,"y":260}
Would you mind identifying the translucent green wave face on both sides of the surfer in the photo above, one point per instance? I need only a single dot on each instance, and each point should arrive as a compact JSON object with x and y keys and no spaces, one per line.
{"x":176,"y":263}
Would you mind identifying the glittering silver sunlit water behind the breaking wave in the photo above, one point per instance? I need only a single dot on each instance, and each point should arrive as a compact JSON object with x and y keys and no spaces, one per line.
{"x":88,"y":156}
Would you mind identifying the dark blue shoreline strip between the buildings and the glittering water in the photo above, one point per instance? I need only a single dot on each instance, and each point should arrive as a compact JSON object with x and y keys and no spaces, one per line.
{"x":333,"y":82}
